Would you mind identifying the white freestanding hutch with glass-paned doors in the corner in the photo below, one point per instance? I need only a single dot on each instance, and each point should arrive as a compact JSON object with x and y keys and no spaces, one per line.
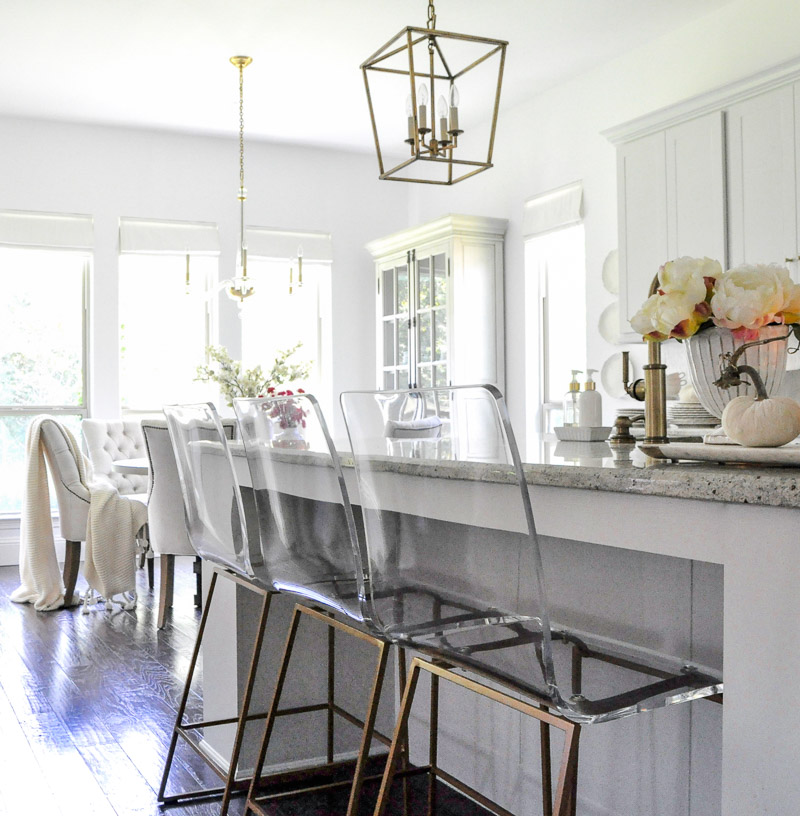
{"x":440,"y":308}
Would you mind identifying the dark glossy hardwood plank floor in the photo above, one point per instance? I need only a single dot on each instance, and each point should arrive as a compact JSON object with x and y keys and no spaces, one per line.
{"x":87,"y":705}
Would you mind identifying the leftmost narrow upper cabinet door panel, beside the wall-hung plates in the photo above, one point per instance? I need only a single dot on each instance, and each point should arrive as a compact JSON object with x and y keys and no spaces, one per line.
{"x":644,"y":246}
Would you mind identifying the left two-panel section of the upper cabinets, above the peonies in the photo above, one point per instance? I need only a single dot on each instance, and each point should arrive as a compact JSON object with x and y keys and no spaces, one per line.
{"x":671,"y":188}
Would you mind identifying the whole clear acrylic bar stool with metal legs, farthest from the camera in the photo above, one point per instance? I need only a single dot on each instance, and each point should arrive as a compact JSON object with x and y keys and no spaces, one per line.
{"x":217,"y":525}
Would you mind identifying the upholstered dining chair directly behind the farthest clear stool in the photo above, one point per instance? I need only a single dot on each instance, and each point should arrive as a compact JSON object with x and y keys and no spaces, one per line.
{"x":166,"y":521}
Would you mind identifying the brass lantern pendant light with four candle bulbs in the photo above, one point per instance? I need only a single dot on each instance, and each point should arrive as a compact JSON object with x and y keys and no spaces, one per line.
{"x":446,"y":145}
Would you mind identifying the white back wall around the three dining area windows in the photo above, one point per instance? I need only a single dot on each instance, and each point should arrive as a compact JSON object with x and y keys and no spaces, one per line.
{"x":112,"y":172}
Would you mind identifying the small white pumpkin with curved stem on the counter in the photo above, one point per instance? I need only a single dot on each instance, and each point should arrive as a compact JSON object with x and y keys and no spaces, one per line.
{"x":761,"y":423}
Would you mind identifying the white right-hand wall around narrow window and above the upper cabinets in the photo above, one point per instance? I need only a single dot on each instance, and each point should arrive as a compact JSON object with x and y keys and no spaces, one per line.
{"x":554,"y":139}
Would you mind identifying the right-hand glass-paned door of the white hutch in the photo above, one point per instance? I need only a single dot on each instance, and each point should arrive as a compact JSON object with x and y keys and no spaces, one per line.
{"x":430,"y":320}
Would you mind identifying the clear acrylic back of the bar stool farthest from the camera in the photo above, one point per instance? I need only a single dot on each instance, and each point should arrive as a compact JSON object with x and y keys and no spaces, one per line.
{"x":215,"y":512}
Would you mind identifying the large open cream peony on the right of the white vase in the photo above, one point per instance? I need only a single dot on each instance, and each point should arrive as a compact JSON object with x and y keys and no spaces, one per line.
{"x":750,"y":296}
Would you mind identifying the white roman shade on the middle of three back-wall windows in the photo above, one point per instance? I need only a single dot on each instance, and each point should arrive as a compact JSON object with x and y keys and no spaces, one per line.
{"x":145,"y":236}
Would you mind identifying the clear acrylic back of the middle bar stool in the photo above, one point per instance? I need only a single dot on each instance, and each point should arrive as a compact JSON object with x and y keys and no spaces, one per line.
{"x":309,"y":540}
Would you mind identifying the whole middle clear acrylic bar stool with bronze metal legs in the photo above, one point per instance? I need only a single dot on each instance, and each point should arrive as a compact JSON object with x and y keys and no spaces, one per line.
{"x":311,"y":548}
